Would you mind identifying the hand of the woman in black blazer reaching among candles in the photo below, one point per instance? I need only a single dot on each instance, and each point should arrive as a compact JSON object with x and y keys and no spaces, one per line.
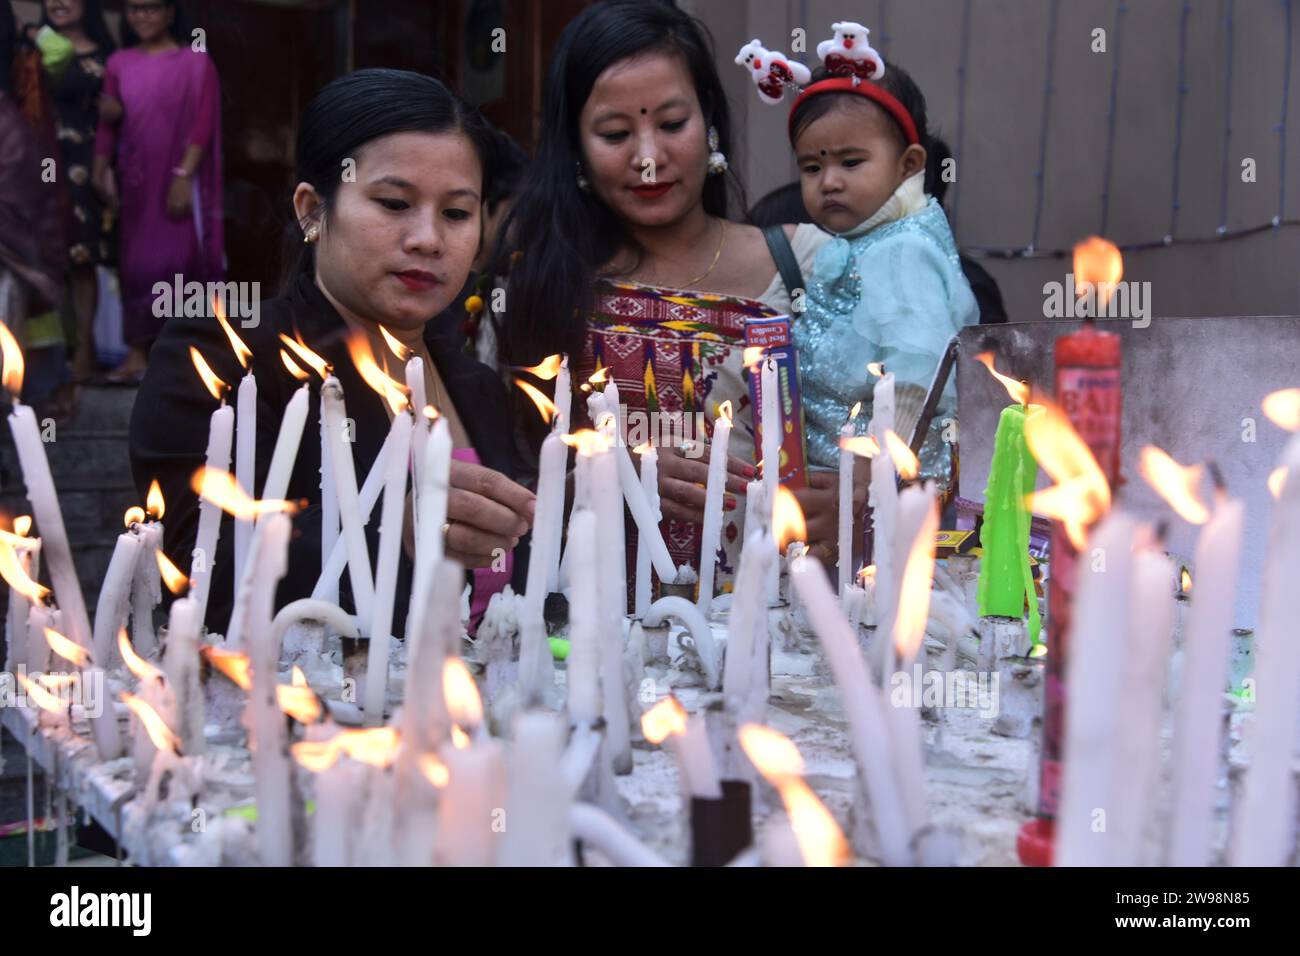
{"x":487,"y":514}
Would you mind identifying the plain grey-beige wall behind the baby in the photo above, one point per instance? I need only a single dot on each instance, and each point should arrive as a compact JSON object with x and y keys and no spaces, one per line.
{"x":995,"y":189}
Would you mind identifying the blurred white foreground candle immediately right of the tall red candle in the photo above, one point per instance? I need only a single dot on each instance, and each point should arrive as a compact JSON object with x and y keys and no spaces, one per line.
{"x":1098,"y":657}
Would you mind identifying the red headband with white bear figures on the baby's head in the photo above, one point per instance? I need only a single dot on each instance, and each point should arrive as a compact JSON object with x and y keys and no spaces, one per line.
{"x":848,"y":57}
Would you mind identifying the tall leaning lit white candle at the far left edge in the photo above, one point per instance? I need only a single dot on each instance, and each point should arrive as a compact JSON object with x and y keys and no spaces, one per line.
{"x":59,"y":559}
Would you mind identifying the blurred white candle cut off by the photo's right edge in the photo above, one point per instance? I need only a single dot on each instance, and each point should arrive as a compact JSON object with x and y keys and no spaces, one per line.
{"x":1264,"y":821}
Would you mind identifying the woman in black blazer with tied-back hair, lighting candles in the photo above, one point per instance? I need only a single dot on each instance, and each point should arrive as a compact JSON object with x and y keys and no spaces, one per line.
{"x":391,"y":181}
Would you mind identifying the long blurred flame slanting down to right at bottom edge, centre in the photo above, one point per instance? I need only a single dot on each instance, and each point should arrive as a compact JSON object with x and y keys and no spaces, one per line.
{"x":778,"y":760}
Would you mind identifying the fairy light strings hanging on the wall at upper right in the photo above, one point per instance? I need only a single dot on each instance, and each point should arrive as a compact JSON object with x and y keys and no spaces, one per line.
{"x":1228,"y":167}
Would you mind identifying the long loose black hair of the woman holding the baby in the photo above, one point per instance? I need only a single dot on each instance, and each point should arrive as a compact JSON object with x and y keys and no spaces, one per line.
{"x":566,"y":235}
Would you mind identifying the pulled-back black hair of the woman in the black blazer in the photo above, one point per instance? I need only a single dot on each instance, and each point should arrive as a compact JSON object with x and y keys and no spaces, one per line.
{"x":357,"y":110}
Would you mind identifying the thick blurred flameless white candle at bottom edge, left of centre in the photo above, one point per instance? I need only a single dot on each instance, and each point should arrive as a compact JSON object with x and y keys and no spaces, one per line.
{"x":539,"y":798}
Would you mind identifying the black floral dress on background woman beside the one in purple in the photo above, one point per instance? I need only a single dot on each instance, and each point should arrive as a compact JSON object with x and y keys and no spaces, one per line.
{"x":76,"y":94}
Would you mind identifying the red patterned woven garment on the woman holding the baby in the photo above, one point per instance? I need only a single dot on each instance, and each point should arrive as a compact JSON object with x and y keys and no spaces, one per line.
{"x":675,"y":356}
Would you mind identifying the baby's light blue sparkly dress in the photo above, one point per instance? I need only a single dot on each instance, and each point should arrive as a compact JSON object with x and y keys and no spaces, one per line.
{"x":894,"y":295}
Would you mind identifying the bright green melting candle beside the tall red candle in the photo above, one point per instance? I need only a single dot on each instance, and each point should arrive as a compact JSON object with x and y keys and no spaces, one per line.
{"x":1006,"y":581}
